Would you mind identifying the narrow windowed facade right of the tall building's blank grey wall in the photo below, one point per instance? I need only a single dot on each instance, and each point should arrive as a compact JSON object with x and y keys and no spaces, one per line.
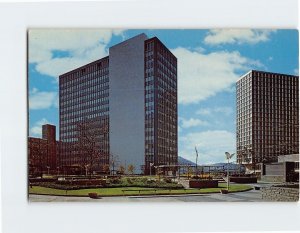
{"x":160,"y":105}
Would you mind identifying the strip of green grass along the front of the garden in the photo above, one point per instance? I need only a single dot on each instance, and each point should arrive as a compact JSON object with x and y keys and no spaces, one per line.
{"x":145,"y":191}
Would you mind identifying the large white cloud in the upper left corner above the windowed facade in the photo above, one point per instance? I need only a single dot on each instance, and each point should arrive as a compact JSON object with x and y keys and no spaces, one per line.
{"x":81,"y":47}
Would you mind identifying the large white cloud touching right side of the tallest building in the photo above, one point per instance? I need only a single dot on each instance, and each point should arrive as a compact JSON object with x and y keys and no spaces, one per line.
{"x":203,"y":75}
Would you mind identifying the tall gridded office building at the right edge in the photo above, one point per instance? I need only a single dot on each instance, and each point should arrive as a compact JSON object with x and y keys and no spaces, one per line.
{"x":267,"y":116}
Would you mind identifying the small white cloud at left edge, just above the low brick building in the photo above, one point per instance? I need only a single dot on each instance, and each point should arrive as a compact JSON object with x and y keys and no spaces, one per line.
{"x":42,"y":99}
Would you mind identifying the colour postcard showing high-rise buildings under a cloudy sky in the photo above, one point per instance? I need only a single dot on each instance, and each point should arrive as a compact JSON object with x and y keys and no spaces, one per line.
{"x":163,"y":115}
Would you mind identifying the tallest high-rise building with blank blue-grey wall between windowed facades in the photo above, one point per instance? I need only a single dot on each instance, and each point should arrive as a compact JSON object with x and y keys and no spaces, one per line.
{"x":129,"y":98}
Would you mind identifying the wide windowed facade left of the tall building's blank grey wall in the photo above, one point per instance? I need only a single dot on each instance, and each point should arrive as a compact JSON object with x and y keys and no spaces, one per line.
{"x":83,"y":101}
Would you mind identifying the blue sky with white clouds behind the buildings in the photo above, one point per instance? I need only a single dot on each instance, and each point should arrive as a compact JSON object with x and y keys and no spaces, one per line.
{"x":209,"y":63}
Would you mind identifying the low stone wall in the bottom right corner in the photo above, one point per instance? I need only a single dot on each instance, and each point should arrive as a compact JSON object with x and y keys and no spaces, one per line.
{"x":276,"y":193}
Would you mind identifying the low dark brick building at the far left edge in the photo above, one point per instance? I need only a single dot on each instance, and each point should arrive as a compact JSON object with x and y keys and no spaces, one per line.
{"x":43,"y":152}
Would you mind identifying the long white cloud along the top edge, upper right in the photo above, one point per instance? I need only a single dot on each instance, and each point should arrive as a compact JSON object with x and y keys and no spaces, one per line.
{"x":237,"y":36}
